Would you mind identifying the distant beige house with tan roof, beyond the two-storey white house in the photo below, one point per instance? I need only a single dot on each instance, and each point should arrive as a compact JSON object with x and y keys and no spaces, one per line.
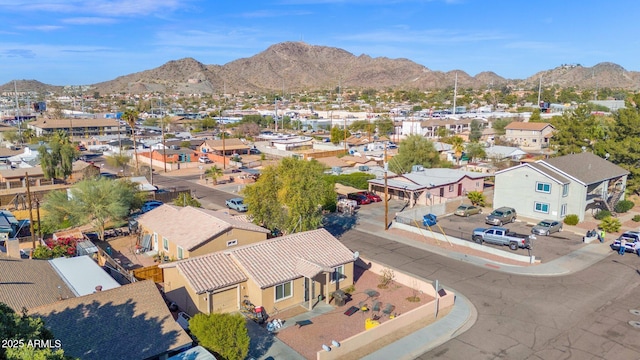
{"x":530,"y":136}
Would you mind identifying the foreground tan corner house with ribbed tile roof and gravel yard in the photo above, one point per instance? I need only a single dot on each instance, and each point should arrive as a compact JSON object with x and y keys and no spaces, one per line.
{"x":280,"y":272}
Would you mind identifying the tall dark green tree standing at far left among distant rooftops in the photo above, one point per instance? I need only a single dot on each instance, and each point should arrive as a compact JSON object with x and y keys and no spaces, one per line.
{"x":57,"y":160}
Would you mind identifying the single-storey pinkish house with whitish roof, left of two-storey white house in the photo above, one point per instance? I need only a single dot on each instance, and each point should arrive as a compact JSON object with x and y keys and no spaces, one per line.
{"x":430,"y":186}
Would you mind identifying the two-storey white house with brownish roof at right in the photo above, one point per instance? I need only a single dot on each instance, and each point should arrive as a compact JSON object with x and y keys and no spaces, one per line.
{"x":556,"y":187}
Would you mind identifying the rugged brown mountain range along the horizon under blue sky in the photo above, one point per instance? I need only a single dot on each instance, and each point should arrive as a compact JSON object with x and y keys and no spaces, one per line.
{"x":297,"y":66}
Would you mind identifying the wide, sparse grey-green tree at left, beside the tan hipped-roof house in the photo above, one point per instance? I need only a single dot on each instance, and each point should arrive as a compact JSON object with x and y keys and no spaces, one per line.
{"x":92,"y":201}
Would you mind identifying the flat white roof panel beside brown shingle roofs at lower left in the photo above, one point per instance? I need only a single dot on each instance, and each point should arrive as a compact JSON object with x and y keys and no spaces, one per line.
{"x":82,"y":274}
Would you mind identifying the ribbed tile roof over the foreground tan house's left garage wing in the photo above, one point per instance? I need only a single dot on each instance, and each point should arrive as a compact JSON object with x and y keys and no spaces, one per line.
{"x":210,"y":272}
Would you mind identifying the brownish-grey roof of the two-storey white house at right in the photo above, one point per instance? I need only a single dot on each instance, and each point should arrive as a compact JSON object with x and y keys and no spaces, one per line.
{"x":586,"y":167}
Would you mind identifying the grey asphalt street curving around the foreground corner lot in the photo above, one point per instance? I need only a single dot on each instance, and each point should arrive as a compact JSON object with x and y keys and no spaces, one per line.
{"x":586,"y":315}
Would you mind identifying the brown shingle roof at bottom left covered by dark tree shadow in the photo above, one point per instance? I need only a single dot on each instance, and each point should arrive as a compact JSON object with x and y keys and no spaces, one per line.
{"x":129,"y":322}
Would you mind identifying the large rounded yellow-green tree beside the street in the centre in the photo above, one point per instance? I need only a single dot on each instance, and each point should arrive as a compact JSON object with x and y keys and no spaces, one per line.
{"x":290,"y":196}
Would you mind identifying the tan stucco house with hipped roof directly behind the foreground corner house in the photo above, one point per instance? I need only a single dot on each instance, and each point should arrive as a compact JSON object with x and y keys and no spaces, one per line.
{"x":184,"y":232}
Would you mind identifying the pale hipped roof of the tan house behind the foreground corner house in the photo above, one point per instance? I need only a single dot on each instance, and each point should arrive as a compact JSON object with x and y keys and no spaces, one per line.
{"x":191,"y":227}
